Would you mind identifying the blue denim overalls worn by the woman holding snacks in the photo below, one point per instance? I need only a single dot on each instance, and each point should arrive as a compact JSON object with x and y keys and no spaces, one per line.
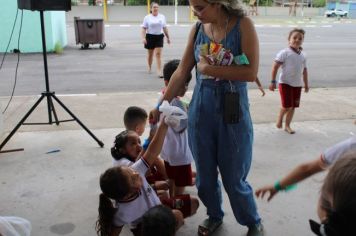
{"x":215,"y":144}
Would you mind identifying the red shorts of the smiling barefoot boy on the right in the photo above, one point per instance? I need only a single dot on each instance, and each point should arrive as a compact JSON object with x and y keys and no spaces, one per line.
{"x":290,"y":96}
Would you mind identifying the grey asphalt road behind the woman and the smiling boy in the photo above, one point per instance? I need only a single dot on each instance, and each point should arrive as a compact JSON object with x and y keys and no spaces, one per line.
{"x":121,"y":66}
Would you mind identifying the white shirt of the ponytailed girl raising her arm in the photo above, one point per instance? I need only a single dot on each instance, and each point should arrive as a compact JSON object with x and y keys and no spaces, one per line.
{"x":130,"y":213}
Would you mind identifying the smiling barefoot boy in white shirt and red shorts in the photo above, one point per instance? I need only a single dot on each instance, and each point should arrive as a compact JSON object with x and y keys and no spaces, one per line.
{"x":293,"y":62}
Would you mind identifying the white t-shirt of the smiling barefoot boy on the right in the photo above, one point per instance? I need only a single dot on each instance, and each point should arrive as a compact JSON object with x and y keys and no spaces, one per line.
{"x":293,"y":65}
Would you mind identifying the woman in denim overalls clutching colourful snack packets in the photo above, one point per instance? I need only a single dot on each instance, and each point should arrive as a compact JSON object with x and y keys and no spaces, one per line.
{"x":219,"y":145}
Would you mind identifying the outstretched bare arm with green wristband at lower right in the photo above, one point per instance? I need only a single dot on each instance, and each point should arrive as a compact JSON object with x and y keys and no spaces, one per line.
{"x":298,"y":174}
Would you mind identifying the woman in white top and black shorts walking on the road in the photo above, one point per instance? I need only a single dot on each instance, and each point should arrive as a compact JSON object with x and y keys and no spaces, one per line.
{"x":154,"y":29}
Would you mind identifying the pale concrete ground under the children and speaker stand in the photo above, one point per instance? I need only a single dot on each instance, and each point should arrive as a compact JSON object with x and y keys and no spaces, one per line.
{"x":58,"y":192}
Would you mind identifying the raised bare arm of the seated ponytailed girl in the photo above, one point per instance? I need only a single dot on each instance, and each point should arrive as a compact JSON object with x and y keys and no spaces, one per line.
{"x":154,"y":149}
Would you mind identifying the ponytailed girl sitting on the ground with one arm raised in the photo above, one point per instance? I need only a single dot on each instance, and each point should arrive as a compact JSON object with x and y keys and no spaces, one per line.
{"x":127,"y":187}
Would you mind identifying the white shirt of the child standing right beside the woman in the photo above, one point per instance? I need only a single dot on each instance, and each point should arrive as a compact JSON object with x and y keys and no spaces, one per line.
{"x":175,"y":149}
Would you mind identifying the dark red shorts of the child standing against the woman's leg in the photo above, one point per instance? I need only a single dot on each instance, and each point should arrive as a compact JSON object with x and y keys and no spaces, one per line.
{"x":182,"y":175}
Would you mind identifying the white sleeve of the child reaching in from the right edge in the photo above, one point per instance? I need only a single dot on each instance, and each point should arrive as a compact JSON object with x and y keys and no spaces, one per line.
{"x":332,"y":154}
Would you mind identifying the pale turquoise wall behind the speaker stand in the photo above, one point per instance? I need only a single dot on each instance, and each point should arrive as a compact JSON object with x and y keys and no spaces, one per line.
{"x":30,"y":39}
